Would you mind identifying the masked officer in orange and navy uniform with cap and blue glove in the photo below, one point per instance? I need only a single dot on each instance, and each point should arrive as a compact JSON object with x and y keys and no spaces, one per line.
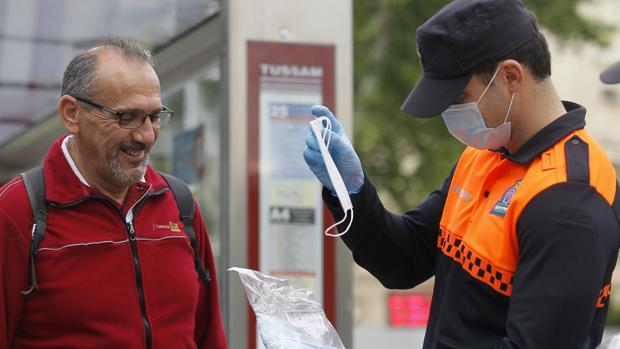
{"x":522,"y":237}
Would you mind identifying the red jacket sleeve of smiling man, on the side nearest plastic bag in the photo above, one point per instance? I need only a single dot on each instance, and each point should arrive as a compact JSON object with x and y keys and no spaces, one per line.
{"x":209,"y":331}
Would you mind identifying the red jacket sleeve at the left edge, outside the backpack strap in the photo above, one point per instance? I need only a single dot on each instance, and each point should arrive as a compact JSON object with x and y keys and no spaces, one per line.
{"x":14,"y":270}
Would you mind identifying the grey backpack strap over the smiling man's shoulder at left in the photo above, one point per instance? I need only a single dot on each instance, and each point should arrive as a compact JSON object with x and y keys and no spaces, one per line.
{"x":35,"y":187}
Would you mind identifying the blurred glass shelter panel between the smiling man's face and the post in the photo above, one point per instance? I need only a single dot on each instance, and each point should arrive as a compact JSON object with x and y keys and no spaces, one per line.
{"x":189,"y":147}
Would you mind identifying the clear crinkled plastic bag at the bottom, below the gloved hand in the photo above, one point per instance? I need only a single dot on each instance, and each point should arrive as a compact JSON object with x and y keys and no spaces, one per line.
{"x":287,"y":316}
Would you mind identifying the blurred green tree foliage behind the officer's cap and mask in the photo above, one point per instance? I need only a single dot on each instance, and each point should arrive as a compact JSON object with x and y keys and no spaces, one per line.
{"x":405,"y":157}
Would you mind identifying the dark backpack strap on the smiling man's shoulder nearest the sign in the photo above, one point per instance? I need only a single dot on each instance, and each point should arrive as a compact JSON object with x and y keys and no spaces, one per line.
{"x":185,"y":203}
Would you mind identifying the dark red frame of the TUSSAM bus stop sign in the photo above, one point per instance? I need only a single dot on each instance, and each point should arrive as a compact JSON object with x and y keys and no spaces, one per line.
{"x":281,"y":63}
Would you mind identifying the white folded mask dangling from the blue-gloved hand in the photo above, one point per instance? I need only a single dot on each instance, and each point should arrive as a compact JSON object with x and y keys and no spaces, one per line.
{"x":332,"y":171}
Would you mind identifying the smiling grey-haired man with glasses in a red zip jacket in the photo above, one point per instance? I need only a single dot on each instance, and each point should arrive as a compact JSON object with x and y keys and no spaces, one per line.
{"x":116,"y":268}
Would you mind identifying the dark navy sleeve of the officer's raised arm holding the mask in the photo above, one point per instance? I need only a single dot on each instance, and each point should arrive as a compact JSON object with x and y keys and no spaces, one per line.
{"x":399,"y":250}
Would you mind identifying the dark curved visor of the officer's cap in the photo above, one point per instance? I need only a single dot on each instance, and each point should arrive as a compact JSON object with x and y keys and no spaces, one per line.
{"x":430,"y":96}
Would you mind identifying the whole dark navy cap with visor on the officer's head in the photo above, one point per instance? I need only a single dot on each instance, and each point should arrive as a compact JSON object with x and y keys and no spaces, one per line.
{"x":459,"y":38}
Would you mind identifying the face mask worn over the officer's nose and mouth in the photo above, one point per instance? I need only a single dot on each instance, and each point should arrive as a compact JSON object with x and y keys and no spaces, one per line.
{"x":465,"y":123}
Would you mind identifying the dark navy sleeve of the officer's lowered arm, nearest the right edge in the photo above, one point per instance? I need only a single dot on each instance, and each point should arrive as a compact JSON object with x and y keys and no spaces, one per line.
{"x":568,"y":240}
